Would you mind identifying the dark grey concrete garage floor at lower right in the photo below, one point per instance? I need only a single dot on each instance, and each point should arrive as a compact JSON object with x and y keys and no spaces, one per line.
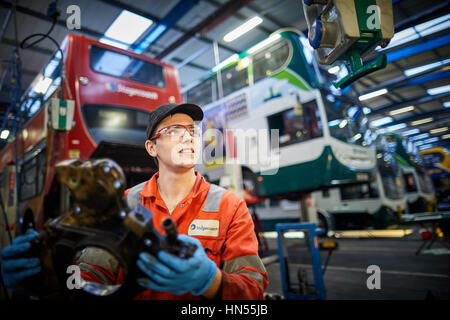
{"x":404,"y":275}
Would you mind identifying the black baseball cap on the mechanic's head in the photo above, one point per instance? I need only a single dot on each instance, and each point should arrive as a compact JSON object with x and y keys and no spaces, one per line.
{"x":161,"y":112}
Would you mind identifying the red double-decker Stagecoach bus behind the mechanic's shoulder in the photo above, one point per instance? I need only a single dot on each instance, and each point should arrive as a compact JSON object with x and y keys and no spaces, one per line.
{"x":112,"y":91}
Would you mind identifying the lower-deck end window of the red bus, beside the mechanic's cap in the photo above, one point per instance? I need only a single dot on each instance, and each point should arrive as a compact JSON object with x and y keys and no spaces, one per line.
{"x":116,"y":124}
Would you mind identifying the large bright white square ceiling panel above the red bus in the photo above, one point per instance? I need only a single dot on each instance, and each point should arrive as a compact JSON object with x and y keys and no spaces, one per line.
{"x":128,"y":27}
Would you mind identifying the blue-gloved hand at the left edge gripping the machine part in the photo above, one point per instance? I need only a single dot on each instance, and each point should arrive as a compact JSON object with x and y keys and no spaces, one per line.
{"x":15,"y":265}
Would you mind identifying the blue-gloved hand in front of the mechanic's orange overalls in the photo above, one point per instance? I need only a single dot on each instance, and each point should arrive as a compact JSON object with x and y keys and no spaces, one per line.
{"x":176,"y":275}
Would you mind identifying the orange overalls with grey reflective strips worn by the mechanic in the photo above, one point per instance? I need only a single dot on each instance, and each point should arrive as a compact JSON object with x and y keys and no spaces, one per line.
{"x":220,"y":220}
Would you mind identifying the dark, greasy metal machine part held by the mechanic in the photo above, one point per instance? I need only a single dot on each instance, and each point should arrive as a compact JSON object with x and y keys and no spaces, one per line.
{"x":100,"y":221}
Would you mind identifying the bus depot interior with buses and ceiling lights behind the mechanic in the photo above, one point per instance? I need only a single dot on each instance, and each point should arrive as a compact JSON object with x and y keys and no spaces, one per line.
{"x":330,"y":118}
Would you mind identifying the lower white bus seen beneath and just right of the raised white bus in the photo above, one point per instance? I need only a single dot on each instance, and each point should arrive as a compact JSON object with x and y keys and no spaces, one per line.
{"x":375,"y":204}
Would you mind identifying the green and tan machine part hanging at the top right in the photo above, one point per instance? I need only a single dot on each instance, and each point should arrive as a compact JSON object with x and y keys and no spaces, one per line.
{"x":348,"y":31}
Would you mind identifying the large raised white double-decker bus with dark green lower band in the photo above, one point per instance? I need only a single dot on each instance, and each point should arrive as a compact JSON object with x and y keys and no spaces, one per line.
{"x":277,"y":84}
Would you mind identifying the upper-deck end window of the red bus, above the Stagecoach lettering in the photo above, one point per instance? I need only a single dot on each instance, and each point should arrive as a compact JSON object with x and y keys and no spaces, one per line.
{"x":122,"y":66}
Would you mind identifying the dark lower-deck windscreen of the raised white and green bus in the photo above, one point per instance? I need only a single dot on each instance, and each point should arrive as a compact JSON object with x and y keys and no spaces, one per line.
{"x":297,"y":124}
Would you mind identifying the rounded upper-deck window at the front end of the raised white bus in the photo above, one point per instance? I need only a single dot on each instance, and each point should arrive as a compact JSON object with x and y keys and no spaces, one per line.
{"x":270,"y":61}
